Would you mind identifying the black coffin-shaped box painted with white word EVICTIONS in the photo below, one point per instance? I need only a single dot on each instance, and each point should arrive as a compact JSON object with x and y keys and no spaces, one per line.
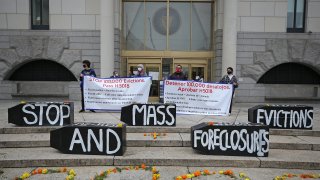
{"x":282,"y":116}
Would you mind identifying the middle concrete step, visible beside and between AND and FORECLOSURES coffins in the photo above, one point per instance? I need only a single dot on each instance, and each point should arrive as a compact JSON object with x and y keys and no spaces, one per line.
{"x":164,"y":140}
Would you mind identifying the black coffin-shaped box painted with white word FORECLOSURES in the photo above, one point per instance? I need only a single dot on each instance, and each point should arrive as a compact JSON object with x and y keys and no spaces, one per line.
{"x":231,"y":140}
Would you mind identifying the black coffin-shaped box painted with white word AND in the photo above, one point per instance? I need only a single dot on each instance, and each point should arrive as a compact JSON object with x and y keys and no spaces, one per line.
{"x":90,"y":138}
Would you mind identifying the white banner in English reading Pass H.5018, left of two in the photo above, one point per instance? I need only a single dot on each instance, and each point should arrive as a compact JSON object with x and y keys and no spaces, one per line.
{"x":114,"y":93}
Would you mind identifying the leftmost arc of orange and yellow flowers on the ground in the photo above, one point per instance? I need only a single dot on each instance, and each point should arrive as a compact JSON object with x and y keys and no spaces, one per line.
{"x":70,"y":173}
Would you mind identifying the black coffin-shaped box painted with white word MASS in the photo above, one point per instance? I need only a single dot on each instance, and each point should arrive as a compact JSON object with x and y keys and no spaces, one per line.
{"x":149,"y":115}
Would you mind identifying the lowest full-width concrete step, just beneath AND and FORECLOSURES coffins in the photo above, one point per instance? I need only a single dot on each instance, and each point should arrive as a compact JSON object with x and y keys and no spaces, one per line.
{"x":157,"y":156}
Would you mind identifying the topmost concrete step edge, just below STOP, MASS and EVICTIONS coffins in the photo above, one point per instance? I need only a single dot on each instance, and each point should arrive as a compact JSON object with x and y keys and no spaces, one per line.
{"x":47,"y":129}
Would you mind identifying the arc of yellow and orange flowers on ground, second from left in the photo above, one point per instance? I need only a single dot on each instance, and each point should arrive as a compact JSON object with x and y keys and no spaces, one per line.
{"x":104,"y":174}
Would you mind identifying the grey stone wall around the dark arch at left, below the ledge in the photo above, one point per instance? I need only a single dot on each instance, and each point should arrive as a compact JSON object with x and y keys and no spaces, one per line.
{"x":67,"y":48}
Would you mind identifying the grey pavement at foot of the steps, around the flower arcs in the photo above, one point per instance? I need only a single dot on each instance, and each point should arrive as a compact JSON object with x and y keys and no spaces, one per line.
{"x":166,"y":173}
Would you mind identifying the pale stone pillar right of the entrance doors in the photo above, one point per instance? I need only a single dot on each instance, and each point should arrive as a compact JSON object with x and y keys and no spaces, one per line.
{"x":229,"y":43}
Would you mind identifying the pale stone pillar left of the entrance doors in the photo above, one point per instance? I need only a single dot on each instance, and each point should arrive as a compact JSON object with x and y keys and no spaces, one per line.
{"x":107,"y":38}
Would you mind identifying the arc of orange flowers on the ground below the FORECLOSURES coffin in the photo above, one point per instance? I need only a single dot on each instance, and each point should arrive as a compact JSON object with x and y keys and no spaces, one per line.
{"x":206,"y":172}
